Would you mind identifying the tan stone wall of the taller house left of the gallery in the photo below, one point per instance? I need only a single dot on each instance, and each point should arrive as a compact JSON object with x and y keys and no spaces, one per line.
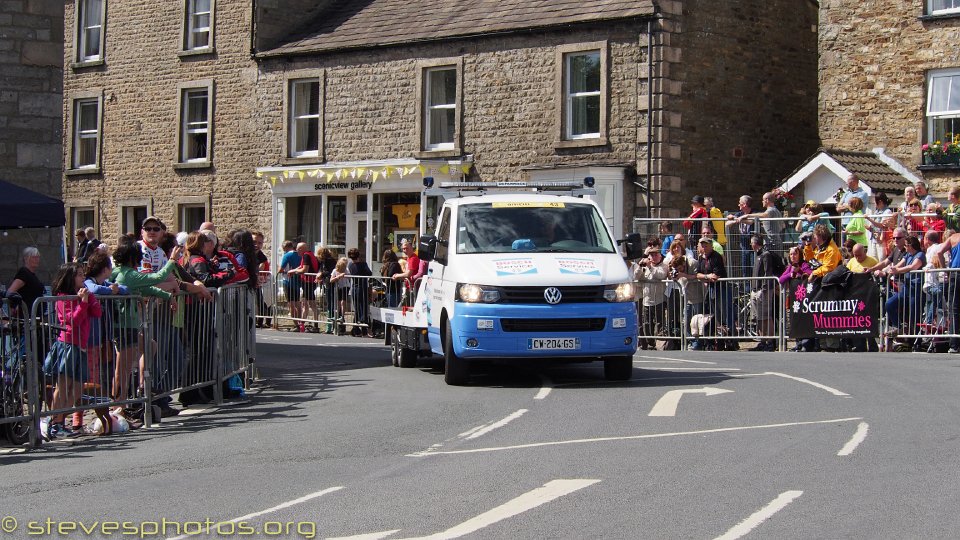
{"x":139,"y":81}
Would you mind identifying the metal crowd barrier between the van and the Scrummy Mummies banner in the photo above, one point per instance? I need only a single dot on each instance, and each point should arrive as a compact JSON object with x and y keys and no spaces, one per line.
{"x":690,"y":314}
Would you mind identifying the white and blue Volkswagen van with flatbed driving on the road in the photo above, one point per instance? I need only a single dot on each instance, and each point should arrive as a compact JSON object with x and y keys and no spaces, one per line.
{"x":519,"y":275}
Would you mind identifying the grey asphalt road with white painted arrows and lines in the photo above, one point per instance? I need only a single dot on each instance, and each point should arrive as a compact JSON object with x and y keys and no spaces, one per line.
{"x":337,"y":443}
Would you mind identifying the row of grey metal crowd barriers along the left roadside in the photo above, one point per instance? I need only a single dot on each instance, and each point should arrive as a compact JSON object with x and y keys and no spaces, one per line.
{"x":139,"y":350}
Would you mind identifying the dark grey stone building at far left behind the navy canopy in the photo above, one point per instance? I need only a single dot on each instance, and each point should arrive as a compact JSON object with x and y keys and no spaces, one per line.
{"x":31,"y":53}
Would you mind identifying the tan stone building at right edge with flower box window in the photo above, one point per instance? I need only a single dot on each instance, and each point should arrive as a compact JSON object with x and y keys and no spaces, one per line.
{"x":890,"y":80}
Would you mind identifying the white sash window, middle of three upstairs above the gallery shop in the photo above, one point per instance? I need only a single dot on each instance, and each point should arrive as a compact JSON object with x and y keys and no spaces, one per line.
{"x":440,"y":108}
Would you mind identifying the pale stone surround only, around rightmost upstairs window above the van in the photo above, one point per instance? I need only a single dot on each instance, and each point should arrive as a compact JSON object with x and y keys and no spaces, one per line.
{"x":562,"y":134}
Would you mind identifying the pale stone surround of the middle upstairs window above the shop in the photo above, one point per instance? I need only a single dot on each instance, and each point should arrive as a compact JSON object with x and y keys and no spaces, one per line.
{"x":424,"y":68}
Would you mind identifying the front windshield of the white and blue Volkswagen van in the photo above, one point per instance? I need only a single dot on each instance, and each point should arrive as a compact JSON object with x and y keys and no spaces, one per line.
{"x":554,"y":227}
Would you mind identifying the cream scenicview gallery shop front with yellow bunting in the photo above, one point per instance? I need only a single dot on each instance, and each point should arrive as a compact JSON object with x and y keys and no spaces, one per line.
{"x":370,"y":205}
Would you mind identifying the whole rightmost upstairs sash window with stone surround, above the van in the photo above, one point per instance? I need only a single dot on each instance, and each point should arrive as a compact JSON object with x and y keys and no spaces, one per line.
{"x":581,"y":91}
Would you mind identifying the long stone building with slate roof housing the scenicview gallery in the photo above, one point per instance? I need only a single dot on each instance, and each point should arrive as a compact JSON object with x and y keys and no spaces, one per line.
{"x":326,"y":131}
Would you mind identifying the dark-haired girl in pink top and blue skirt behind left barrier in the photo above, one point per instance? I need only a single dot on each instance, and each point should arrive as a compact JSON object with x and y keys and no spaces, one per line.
{"x":66,"y":363}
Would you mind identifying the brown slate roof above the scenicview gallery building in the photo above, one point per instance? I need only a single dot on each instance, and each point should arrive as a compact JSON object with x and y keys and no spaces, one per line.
{"x":357,"y":24}
